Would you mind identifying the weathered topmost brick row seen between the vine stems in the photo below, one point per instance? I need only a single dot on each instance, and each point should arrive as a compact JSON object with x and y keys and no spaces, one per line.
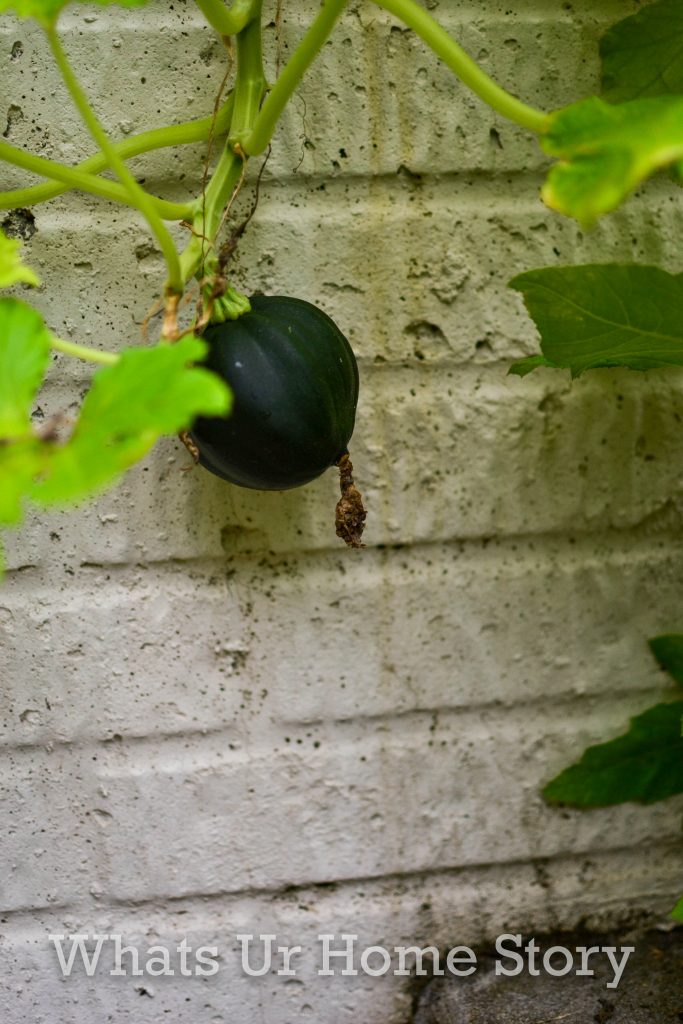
{"x":363,"y":108}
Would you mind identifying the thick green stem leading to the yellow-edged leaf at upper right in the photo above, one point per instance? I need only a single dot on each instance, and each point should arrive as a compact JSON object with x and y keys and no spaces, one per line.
{"x":439,"y":40}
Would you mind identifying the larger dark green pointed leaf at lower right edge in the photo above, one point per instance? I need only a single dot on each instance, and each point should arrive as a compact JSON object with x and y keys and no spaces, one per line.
{"x":646,"y":764}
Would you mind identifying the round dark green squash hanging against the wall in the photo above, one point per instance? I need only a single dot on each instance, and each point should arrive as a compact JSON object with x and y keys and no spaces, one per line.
{"x":295,"y":387}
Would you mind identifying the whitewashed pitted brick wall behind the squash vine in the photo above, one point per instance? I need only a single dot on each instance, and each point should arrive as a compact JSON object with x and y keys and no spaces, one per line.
{"x":215,"y":718}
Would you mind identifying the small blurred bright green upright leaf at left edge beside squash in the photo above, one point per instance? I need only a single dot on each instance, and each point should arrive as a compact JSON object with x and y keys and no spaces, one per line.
{"x":25,"y":350}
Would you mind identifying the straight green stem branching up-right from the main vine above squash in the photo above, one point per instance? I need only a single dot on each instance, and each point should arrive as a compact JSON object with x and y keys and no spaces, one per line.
{"x":258,"y":141}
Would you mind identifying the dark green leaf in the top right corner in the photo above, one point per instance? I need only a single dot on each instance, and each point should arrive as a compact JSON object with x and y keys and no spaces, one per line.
{"x":644,"y":55}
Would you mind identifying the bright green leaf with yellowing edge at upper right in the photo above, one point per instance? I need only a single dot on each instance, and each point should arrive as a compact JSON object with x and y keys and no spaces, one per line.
{"x":606,"y":152}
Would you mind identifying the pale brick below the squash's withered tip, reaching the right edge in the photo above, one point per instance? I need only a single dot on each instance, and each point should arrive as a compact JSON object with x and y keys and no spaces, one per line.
{"x":445,"y":628}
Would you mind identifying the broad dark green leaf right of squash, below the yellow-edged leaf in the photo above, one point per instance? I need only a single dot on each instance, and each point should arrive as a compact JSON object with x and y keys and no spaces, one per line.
{"x":607,"y":316}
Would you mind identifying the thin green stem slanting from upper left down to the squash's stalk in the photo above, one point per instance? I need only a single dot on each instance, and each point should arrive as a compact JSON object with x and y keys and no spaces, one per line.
{"x":139,"y":197}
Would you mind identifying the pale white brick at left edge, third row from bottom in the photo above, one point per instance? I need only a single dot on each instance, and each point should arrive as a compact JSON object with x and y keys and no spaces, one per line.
{"x":93,"y":657}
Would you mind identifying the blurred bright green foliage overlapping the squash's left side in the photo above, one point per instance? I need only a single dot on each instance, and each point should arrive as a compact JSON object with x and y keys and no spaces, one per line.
{"x":148,"y":393}
